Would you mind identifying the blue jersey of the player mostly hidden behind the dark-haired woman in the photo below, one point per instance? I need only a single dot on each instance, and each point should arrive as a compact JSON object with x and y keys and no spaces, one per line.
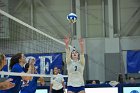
{"x":31,"y":87}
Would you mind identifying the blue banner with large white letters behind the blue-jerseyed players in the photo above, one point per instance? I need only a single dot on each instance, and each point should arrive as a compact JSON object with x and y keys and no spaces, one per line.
{"x":44,"y":62}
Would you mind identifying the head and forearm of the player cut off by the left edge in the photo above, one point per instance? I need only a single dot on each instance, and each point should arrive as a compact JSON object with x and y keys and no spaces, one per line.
{"x":7,"y":83}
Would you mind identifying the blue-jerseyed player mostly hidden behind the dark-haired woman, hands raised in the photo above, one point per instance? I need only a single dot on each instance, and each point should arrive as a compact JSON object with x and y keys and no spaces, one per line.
{"x":30,"y":87}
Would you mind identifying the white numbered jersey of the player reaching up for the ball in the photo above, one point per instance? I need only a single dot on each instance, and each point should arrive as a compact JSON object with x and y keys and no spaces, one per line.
{"x":75,"y":73}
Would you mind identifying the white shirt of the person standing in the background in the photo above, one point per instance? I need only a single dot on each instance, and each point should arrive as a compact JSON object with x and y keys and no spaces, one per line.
{"x":57,"y":80}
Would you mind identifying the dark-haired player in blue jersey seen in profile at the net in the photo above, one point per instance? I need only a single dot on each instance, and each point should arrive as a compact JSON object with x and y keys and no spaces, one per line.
{"x":16,"y":65}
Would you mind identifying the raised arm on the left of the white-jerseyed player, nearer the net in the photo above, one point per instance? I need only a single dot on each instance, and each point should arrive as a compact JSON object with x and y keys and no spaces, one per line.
{"x":68,"y":53}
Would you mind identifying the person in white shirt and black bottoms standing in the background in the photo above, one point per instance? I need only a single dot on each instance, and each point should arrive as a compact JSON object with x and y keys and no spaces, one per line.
{"x":57,"y":82}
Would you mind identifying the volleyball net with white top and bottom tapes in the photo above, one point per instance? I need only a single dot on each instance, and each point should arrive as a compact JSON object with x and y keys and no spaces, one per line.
{"x":17,"y":36}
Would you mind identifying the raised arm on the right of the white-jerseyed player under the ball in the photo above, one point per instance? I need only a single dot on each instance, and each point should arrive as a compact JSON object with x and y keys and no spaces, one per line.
{"x":81,"y":44}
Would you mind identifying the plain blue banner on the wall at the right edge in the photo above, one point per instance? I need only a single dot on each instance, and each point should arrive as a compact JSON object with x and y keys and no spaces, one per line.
{"x":133,"y":61}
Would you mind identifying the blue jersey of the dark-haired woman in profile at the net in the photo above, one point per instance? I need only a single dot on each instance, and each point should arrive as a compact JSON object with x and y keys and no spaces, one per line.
{"x":16,"y":79}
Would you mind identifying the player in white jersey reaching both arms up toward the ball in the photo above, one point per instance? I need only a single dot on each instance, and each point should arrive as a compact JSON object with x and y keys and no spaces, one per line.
{"x":75,"y":66}
